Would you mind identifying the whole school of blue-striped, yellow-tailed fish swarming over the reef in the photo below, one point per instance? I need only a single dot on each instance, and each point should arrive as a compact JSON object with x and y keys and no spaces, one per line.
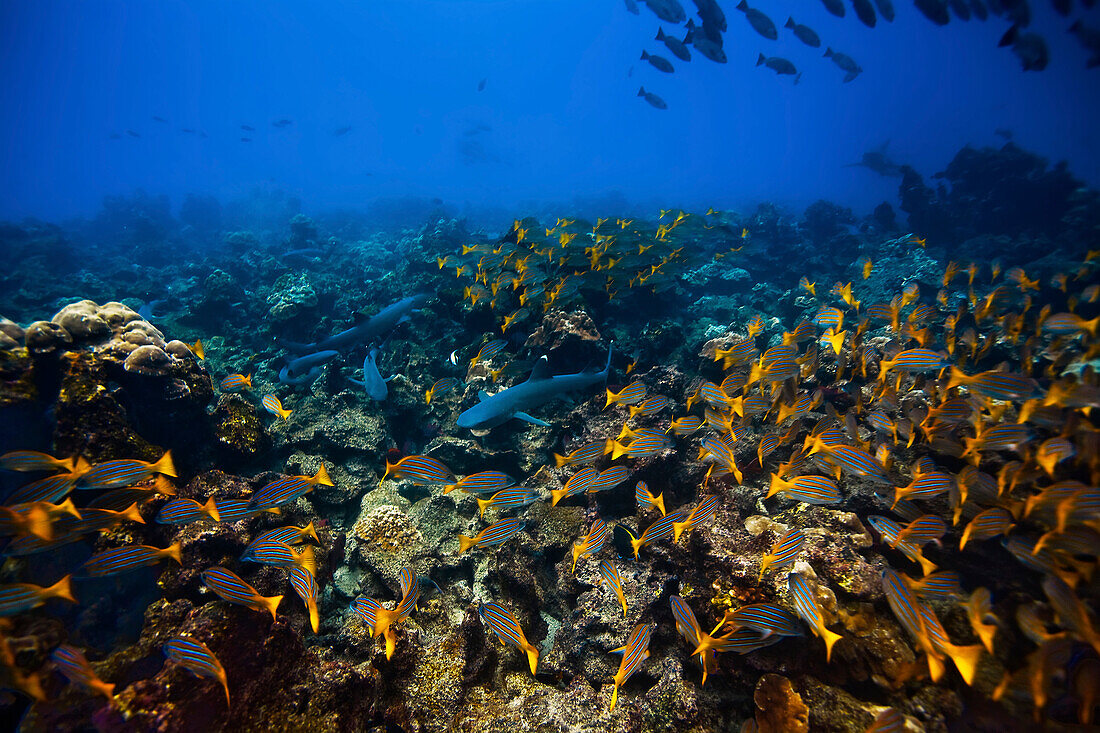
{"x":966,"y":414}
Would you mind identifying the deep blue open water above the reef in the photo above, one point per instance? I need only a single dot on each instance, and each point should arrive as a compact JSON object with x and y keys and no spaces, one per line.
{"x":558,"y":118}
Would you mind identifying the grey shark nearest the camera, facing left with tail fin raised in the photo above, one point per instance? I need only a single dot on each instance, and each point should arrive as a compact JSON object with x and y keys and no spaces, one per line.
{"x":541,"y":388}
